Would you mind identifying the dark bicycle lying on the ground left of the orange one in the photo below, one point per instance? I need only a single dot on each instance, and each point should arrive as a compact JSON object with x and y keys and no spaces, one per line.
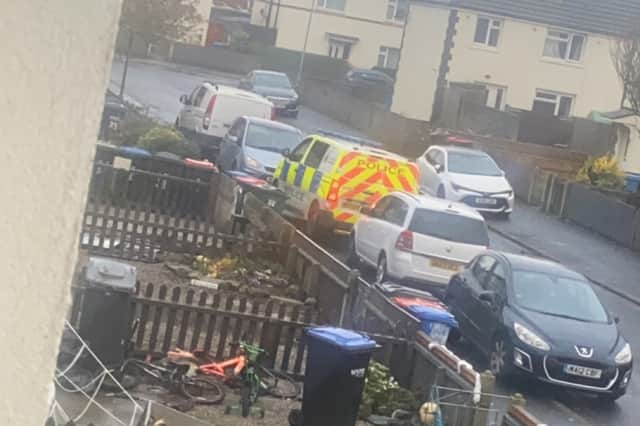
{"x":178,"y":380}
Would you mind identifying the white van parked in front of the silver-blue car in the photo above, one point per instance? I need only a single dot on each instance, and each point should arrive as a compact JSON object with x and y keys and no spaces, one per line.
{"x":210,"y":110}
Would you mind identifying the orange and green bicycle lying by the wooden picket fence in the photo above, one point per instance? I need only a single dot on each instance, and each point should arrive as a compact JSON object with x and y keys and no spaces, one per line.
{"x":256,"y":379}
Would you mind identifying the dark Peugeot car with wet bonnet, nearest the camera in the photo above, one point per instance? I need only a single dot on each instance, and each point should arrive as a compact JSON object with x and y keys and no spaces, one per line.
{"x":539,"y":318}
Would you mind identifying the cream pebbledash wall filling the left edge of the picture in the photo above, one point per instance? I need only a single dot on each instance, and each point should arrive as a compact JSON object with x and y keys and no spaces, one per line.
{"x":63,"y":61}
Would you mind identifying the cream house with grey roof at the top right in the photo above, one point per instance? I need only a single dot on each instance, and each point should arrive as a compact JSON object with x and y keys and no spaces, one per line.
{"x":552,"y":56}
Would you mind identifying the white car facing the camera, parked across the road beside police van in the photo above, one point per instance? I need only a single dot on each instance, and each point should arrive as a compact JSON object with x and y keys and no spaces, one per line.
{"x":466,"y":175}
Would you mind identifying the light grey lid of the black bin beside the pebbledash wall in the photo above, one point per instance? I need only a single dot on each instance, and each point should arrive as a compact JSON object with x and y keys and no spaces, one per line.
{"x":110,"y":273}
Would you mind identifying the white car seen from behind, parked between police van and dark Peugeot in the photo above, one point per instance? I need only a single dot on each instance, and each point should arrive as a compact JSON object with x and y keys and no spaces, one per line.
{"x":417,"y":238}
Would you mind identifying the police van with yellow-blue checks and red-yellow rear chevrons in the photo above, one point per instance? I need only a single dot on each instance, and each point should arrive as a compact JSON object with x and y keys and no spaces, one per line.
{"x":329,"y":177}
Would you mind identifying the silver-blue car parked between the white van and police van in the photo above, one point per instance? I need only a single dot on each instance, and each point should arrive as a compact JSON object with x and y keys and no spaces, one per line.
{"x":255,"y":145}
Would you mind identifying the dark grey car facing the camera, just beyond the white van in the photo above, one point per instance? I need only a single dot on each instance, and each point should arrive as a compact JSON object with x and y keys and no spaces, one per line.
{"x":274,"y":86}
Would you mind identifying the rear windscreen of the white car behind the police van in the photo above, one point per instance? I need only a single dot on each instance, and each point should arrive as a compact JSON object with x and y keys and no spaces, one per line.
{"x":450,"y":227}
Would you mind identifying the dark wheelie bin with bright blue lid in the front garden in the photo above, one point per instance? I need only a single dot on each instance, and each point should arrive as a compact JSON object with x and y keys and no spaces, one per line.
{"x":337,"y":363}
